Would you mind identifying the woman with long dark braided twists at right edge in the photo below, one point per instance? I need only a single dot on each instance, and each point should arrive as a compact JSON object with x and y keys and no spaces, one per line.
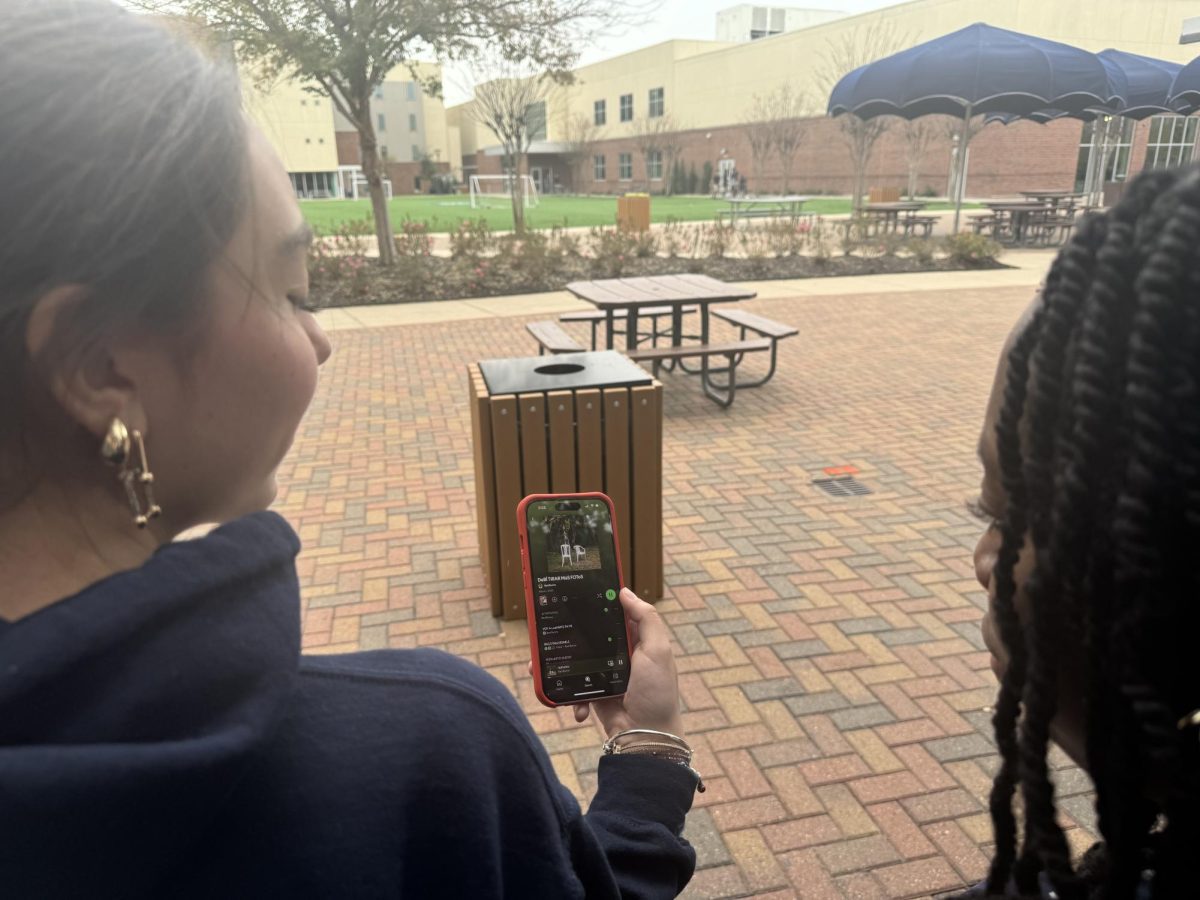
{"x":1091,"y":490}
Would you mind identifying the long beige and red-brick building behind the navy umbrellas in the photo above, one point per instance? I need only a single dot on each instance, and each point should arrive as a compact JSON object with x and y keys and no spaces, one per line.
{"x":705,"y":89}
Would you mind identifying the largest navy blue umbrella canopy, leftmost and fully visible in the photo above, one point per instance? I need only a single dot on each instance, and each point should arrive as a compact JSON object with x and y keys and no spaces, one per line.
{"x":980,"y":69}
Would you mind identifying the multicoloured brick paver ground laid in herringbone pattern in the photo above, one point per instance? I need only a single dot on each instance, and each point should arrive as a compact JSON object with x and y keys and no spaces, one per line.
{"x":831,"y":664}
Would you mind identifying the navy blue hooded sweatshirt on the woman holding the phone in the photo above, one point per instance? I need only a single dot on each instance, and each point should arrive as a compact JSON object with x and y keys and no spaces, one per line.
{"x":163,"y":736}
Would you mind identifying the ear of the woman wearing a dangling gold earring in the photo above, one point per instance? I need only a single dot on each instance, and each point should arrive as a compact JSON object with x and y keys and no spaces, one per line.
{"x":88,"y":385}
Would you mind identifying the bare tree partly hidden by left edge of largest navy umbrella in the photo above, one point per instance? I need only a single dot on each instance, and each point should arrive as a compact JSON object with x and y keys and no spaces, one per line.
{"x":844,"y":55}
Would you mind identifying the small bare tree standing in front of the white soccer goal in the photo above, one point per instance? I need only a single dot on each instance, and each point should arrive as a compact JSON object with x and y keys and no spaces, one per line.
{"x":511,"y":101}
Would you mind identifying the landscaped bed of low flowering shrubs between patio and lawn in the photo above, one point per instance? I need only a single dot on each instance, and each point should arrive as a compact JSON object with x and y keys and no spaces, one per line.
{"x":484,"y":265}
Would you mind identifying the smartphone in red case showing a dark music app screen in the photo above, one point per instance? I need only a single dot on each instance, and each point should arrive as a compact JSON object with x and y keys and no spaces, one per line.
{"x":573,"y":578}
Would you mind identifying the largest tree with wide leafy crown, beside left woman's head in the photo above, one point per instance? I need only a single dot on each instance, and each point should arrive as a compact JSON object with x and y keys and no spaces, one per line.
{"x":345,"y":49}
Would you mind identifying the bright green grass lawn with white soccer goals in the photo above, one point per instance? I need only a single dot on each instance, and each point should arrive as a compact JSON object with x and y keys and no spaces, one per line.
{"x":443,"y":213}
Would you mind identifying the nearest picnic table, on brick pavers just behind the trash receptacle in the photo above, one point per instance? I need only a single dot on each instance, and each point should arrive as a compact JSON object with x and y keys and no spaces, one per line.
{"x":627,"y":297}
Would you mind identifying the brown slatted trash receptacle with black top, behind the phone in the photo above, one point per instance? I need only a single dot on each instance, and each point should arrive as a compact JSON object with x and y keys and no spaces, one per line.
{"x":578,"y":422}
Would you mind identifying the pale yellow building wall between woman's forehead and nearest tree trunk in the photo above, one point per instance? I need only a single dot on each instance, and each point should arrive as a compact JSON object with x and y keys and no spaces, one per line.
{"x":299,"y":124}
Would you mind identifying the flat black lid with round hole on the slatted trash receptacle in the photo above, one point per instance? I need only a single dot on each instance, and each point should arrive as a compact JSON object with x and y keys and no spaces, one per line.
{"x":567,"y":371}
